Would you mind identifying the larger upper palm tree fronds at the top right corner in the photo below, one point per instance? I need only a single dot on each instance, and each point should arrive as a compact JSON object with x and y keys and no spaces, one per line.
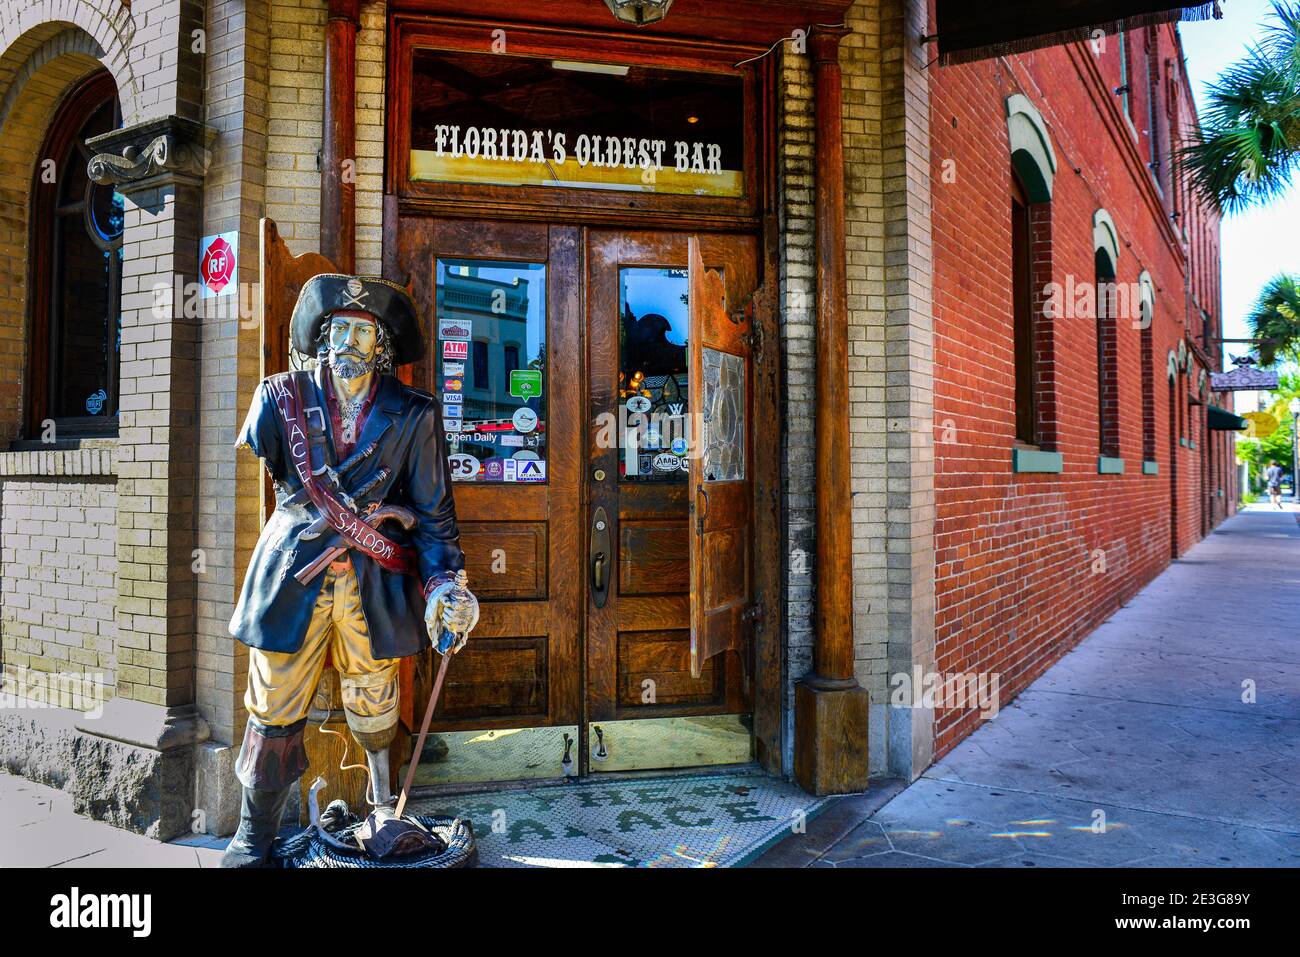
{"x":1250,"y":138}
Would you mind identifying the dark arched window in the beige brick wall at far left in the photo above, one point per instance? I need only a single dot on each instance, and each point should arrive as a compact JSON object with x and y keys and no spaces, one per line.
{"x":76,"y":275}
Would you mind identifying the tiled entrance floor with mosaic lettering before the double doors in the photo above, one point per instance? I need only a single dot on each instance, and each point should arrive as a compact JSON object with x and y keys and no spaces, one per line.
{"x":699,"y":821}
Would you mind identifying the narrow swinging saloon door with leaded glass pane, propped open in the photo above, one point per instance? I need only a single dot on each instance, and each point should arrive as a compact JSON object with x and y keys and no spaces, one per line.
{"x":721,"y":475}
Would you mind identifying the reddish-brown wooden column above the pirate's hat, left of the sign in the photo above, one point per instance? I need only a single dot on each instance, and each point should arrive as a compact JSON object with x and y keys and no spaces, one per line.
{"x":339,"y":144}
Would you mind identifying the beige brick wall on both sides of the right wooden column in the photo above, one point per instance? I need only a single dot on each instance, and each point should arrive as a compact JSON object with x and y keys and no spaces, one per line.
{"x":887,"y":209}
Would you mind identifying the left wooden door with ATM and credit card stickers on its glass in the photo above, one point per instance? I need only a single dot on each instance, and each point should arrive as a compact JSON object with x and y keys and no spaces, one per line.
{"x":501,"y":298}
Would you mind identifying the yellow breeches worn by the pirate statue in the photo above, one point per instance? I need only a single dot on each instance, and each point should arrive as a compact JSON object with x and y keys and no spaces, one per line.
{"x":281,"y":686}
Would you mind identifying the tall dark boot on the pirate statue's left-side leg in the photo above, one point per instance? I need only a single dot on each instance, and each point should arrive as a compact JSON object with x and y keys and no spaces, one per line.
{"x":271,"y":761}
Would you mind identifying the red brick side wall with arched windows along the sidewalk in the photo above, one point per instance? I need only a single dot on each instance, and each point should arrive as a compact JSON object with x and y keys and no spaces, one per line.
{"x":1019,"y":557}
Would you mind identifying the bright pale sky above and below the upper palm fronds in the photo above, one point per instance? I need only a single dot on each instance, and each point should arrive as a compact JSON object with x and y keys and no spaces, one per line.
{"x":1260,"y":243}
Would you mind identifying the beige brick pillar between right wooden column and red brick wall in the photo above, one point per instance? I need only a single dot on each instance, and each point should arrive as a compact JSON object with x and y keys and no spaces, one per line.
{"x":887,"y":218}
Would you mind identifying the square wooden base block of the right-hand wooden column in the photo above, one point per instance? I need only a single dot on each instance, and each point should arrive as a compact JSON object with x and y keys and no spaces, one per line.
{"x":831,"y":738}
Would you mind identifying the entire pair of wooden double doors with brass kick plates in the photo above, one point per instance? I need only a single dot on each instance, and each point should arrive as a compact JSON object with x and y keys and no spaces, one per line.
{"x":597,"y":397}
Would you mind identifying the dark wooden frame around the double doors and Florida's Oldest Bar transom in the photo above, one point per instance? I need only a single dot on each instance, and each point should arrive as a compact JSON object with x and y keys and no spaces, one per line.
{"x":408,"y":218}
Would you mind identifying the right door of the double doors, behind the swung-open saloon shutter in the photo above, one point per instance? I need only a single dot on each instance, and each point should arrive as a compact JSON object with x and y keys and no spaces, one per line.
{"x":639,"y":644}
